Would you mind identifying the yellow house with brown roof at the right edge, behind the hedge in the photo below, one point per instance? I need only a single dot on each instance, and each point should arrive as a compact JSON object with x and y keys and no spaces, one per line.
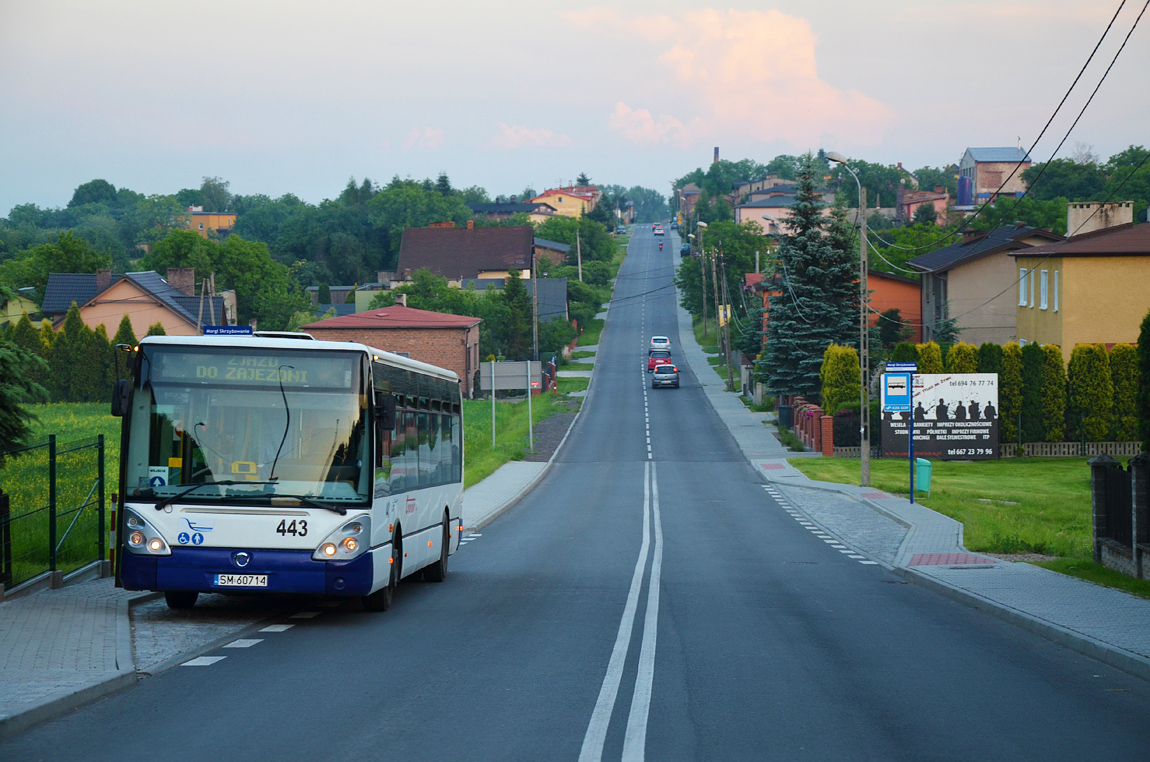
{"x":1091,"y":289}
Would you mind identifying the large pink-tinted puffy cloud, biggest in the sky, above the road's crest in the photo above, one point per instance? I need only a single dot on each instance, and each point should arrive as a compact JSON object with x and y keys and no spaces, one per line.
{"x":746,"y":74}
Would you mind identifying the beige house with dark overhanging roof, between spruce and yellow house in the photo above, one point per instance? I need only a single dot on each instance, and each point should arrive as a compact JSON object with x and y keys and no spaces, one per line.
{"x":973,"y":282}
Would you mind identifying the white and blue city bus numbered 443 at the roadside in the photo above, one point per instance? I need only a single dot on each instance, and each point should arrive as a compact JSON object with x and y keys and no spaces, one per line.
{"x":285,"y":466}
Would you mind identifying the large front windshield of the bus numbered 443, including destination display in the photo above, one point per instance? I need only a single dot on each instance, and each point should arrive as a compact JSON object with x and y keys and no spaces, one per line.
{"x":290,"y":424}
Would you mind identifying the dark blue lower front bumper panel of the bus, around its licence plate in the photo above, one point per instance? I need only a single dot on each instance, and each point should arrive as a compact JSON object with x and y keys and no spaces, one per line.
{"x":288,"y":572}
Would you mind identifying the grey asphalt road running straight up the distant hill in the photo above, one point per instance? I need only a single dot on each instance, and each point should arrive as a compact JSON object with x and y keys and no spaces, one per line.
{"x":646,"y":602}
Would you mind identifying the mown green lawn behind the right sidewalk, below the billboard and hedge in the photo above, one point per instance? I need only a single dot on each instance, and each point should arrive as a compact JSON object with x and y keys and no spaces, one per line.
{"x":1032,"y":505}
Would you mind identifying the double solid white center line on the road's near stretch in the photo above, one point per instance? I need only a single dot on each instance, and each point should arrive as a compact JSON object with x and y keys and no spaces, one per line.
{"x":635,"y":740}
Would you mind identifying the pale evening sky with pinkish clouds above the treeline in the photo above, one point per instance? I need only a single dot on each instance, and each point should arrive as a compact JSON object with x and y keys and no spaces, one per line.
{"x":292,"y":97}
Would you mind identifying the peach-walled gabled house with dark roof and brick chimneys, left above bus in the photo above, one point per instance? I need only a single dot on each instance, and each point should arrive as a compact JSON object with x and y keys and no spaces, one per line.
{"x":145,"y":297}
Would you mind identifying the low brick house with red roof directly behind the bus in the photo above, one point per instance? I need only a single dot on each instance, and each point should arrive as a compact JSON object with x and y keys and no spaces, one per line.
{"x":450,"y":342}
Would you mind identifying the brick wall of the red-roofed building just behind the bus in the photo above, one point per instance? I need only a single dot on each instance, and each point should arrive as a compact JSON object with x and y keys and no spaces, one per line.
{"x":455,"y":349}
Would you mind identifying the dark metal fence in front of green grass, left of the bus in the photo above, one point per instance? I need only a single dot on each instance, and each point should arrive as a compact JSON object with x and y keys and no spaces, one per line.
{"x":52,"y":513}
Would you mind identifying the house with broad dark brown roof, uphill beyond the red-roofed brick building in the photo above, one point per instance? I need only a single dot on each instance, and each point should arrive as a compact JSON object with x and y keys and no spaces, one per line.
{"x":459,"y":253}
